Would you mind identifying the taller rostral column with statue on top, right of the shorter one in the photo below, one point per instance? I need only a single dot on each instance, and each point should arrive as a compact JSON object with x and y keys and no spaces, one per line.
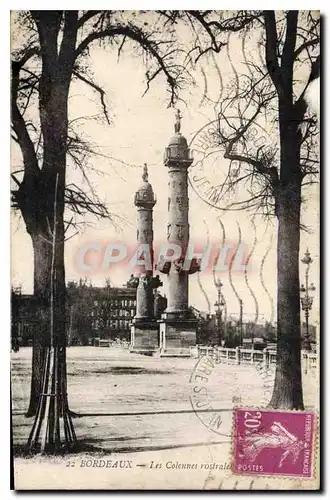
{"x":178,"y":326}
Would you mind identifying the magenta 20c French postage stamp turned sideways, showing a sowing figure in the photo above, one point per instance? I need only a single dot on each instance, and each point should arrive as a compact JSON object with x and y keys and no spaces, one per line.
{"x":273,"y":442}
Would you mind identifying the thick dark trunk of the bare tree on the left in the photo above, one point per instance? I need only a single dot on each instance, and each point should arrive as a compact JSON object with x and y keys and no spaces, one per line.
{"x":54,"y":85}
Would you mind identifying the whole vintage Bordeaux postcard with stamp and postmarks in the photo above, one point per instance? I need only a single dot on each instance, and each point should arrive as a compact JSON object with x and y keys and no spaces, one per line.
{"x":165,"y":250}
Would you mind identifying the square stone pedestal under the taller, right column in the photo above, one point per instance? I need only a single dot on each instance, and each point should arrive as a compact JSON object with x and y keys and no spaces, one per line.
{"x":177,"y":336}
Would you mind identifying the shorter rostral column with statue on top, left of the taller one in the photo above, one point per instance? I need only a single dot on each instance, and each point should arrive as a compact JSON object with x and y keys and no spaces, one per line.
{"x":144,"y":328}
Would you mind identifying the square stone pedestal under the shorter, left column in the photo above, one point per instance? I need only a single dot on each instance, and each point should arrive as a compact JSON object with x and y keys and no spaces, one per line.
{"x":144,"y":337}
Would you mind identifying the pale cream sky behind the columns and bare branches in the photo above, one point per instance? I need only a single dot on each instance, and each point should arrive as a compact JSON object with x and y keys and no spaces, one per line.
{"x":140,"y":130}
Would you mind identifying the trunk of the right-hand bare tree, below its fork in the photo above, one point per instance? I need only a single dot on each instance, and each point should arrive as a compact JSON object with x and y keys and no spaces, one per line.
{"x":287,"y":391}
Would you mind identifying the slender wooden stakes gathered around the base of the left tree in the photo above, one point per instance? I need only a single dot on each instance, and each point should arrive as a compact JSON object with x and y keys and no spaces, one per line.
{"x":53,"y":429}
